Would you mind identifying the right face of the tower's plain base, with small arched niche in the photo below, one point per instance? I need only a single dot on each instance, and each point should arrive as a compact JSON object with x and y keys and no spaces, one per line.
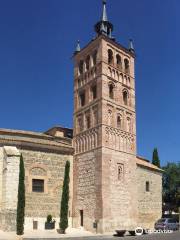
{"x":119,"y":190}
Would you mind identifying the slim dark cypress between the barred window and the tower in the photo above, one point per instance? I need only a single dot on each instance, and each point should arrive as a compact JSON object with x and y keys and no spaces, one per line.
{"x":65,"y":199}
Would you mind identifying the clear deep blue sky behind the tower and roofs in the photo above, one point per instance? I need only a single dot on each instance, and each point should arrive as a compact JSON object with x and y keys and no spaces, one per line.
{"x":37,"y":39}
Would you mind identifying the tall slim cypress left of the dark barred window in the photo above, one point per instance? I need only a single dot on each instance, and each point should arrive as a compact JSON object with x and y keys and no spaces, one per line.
{"x":21,"y":200}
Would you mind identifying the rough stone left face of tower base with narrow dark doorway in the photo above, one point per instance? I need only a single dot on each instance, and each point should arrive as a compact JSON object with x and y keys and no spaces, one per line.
{"x":87,"y":200}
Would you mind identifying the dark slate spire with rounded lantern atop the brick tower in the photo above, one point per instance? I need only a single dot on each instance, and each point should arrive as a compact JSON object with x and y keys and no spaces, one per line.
{"x":104,"y":26}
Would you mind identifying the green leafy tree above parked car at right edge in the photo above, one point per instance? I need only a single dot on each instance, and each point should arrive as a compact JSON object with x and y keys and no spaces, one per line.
{"x":171,"y":186}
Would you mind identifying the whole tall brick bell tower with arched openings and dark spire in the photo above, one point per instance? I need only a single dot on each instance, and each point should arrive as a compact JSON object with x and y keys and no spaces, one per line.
{"x":104,"y":181}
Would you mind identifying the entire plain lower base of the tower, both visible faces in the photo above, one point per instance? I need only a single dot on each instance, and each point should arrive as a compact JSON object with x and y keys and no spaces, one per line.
{"x":105,"y":191}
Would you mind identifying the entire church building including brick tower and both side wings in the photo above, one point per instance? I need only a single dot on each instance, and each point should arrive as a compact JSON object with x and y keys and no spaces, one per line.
{"x":110,"y":188}
